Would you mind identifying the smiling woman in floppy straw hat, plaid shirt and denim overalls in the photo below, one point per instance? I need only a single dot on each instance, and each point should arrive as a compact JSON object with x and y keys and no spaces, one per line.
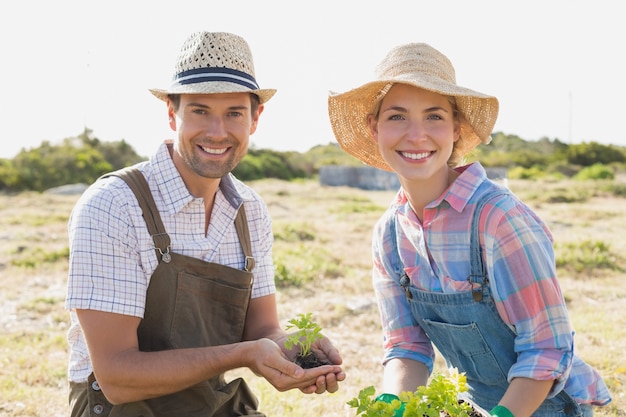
{"x":488,"y":300}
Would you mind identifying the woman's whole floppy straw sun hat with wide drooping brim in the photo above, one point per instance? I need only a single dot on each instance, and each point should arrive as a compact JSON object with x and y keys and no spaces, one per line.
{"x":419,"y":65}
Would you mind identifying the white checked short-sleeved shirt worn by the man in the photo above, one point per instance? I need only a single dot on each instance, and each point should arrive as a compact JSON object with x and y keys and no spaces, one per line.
{"x":112,"y":255}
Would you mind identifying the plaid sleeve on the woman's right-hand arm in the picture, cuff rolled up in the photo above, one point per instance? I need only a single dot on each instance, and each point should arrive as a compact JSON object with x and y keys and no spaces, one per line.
{"x":528,"y":296}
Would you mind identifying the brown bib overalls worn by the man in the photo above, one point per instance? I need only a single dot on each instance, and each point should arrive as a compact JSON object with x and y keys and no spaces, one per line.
{"x":189,"y":303}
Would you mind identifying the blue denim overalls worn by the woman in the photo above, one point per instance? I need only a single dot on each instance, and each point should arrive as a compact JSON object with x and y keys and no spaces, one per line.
{"x":470,"y":334}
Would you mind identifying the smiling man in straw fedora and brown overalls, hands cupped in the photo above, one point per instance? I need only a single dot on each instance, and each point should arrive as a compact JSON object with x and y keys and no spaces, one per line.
{"x":166,"y":295}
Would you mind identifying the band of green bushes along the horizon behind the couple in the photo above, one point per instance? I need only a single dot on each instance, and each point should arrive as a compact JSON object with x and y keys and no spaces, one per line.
{"x":83,"y":158}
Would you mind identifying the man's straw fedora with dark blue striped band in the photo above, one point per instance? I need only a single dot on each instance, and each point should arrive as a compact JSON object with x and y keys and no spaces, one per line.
{"x":211,"y":63}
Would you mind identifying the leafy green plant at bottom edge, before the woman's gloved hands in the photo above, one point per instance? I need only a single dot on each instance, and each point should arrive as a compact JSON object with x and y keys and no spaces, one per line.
{"x":439,"y":398}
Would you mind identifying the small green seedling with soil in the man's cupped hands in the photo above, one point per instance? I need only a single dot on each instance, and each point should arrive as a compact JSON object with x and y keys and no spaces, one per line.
{"x":308,"y":333}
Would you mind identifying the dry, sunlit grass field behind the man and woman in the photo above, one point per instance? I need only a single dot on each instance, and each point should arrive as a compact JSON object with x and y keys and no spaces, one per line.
{"x":322,"y":256}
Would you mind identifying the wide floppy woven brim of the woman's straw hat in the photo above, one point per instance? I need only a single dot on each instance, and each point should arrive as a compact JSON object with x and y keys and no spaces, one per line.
{"x":348,"y":116}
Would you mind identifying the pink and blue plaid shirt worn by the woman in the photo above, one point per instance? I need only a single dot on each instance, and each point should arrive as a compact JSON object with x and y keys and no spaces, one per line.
{"x":519,"y":256}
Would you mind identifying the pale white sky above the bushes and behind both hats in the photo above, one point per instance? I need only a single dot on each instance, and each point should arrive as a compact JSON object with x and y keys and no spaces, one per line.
{"x":556,"y":66}
